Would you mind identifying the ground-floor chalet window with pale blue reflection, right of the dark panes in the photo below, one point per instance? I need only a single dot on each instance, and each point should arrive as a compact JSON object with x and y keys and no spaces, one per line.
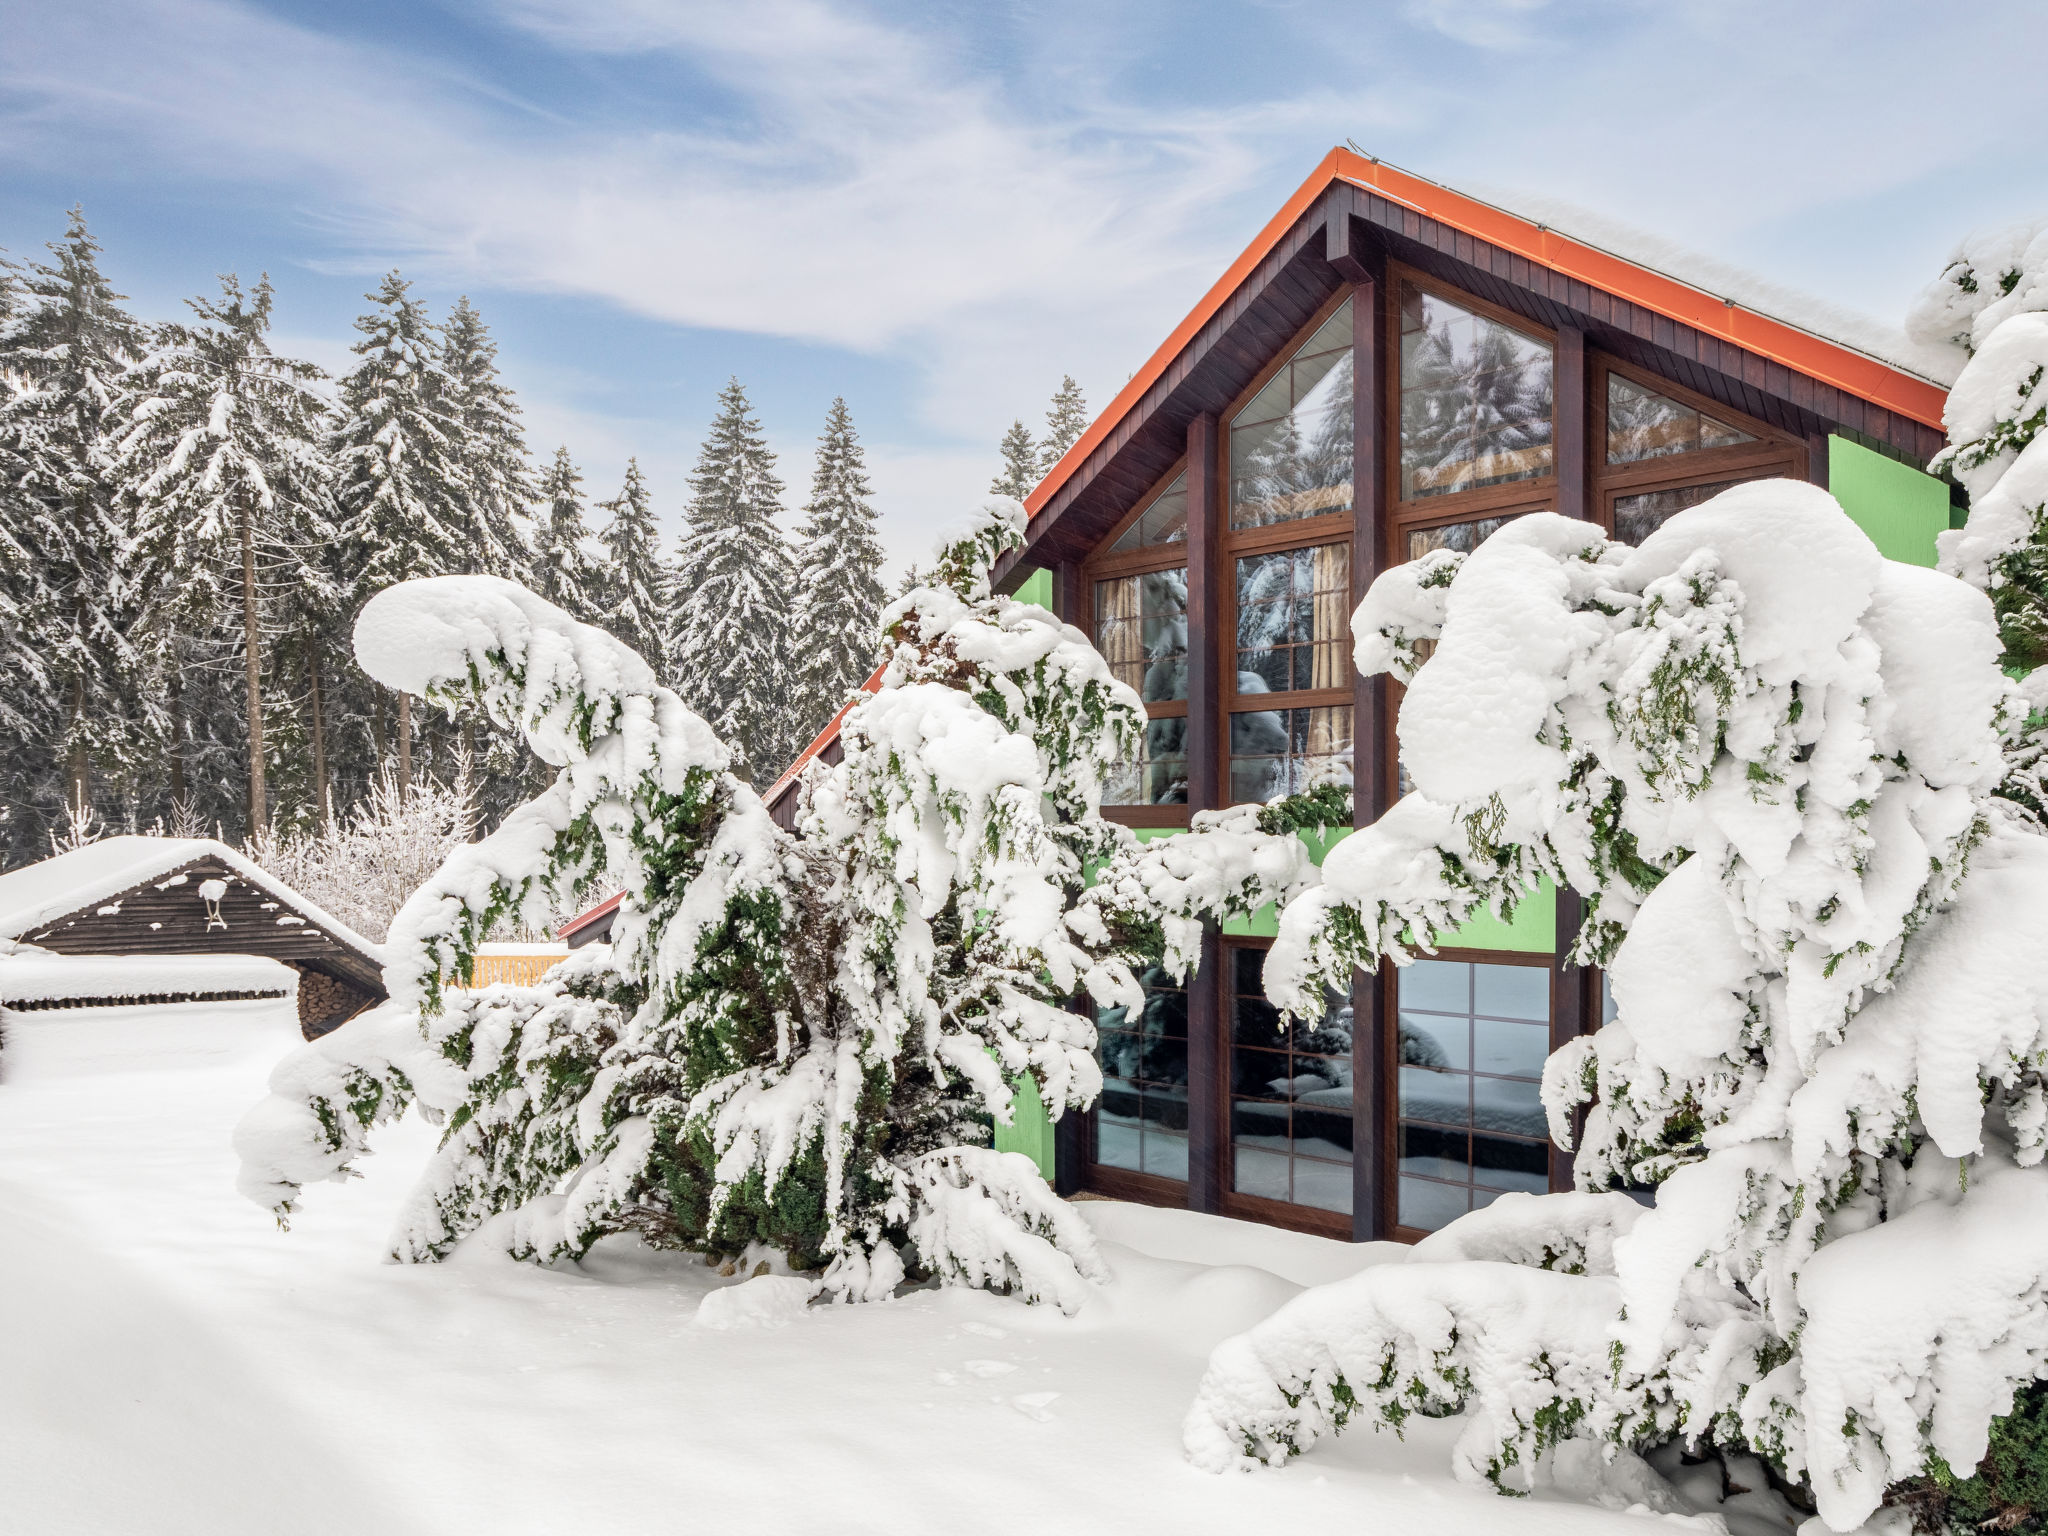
{"x":1471,"y":1048}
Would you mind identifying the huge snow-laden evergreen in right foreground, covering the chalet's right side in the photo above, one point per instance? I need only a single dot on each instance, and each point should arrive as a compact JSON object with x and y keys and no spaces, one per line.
{"x":1768,"y":761}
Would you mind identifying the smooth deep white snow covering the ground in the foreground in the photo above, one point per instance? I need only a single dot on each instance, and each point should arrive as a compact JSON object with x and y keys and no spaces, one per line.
{"x":173,"y":1363}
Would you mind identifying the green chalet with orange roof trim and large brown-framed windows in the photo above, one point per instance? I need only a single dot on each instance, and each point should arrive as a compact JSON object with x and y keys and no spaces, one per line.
{"x":1392,"y":368}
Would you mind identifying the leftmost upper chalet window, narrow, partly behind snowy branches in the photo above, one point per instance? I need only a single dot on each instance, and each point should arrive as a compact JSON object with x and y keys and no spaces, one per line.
{"x":1142,"y":628}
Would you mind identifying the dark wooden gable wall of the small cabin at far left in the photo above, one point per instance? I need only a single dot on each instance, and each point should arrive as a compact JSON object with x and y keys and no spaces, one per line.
{"x":169,"y":916}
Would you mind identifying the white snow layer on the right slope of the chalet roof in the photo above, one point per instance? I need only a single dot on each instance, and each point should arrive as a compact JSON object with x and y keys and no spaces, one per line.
{"x":1824,"y":318}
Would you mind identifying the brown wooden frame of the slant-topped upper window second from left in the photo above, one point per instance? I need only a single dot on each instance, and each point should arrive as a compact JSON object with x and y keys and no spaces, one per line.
{"x":1269,"y":540}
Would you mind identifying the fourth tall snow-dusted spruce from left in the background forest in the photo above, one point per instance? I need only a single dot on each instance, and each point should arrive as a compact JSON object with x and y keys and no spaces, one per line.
{"x":482,"y":419}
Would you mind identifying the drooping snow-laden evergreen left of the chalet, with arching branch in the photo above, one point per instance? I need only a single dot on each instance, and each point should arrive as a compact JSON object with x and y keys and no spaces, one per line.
{"x":798,"y":1037}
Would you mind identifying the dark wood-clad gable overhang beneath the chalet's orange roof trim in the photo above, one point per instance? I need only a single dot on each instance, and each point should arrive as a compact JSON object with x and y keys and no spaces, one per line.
{"x":1347,"y":237}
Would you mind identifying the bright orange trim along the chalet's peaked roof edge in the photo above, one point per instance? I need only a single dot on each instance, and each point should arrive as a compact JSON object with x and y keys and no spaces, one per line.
{"x":1852,"y":372}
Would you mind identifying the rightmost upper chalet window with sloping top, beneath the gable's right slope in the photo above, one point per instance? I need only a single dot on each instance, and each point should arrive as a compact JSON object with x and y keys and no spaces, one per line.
{"x":1664,"y":450}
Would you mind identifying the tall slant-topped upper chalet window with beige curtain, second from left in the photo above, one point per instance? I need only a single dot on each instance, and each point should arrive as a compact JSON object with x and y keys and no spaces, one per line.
{"x":1289,"y":550}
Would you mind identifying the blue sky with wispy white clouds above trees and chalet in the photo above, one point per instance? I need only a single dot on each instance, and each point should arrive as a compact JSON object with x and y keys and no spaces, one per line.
{"x":939,"y":210}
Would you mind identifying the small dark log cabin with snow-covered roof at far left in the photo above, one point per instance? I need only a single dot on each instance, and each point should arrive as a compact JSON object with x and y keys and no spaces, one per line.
{"x":191,"y":896}
